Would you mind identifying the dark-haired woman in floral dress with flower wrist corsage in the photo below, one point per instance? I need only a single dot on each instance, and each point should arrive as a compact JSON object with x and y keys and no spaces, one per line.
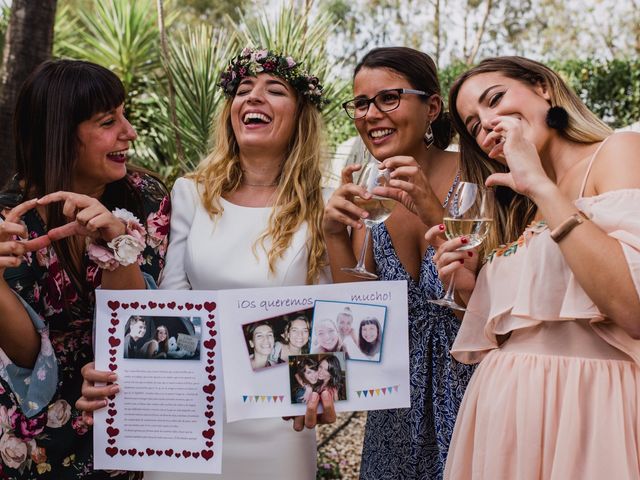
{"x":71,"y":143}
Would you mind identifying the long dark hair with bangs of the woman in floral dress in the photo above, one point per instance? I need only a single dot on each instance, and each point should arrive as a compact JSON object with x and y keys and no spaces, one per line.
{"x":53,"y":101}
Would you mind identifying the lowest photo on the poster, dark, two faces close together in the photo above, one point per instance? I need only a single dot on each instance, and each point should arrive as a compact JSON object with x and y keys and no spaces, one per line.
{"x":317,"y":373}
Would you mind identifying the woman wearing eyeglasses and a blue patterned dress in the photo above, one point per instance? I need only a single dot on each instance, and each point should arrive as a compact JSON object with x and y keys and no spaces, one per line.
{"x":397,"y":110}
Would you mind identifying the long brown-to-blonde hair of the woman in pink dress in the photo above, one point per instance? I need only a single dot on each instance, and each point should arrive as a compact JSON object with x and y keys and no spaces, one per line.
{"x":514,"y":211}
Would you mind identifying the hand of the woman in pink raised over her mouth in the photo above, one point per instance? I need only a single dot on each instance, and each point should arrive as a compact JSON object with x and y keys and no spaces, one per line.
{"x":526,"y":174}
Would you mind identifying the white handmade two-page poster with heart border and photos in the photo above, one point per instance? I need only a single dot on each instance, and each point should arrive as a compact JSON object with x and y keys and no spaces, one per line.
{"x":279,"y":346}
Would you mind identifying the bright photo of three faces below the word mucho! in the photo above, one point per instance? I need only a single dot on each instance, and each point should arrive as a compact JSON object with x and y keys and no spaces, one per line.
{"x":355,"y":329}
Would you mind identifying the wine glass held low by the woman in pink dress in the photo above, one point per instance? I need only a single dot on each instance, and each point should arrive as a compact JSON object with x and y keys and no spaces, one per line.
{"x":470,"y":214}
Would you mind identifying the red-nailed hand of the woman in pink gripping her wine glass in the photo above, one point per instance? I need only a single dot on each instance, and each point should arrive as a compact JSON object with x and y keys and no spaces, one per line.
{"x":449,"y":261}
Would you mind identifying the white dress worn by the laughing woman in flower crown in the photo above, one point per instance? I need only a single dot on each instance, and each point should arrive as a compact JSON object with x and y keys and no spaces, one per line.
{"x":210,"y":255}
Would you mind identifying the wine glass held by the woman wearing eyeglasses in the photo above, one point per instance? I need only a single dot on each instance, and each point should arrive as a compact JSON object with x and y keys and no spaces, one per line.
{"x":379,"y":208}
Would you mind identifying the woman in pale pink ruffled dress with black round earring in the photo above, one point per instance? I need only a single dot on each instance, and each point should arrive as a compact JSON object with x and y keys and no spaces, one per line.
{"x":554,"y":318}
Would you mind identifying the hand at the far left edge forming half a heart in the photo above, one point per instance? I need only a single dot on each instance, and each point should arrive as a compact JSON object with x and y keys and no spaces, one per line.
{"x":11,"y":250}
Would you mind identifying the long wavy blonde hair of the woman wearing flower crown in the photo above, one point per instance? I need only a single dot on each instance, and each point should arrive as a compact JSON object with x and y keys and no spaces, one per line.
{"x":298,"y":194}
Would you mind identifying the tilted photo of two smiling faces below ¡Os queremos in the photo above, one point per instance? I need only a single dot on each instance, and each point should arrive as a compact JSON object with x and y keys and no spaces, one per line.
{"x":271,"y":341}
